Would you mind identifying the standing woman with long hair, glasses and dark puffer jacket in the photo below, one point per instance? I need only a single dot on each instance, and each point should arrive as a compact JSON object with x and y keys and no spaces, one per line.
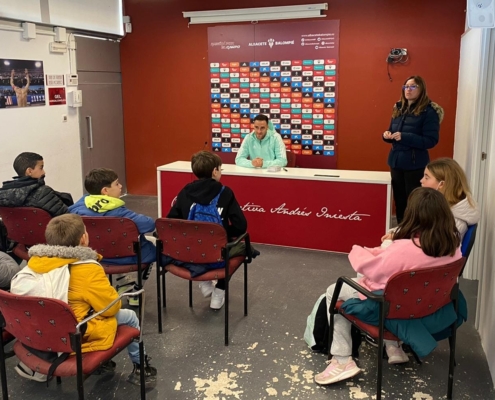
{"x":413,"y":130}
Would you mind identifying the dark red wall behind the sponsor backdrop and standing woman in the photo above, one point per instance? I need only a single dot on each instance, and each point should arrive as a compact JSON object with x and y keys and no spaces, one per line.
{"x":166,"y":86}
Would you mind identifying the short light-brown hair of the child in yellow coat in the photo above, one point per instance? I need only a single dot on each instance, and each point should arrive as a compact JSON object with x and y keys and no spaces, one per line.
{"x":65,"y":230}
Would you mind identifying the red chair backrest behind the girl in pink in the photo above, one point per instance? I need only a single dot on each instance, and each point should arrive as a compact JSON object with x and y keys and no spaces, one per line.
{"x":421,"y":292}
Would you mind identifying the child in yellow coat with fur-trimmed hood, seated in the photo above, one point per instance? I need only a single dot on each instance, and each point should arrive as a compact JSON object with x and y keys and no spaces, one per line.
{"x":87,"y":289}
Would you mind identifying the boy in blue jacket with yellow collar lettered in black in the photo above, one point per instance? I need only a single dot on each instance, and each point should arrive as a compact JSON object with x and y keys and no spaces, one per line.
{"x":103,"y":200}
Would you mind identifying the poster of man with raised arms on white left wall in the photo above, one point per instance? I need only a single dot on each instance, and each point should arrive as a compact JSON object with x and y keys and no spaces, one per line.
{"x":22,"y":83}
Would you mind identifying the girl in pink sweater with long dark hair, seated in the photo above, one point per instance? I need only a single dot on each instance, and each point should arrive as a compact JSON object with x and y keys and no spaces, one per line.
{"x":426,"y":237}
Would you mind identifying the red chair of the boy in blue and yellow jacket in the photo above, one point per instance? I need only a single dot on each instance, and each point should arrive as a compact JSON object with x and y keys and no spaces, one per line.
{"x":115,"y":237}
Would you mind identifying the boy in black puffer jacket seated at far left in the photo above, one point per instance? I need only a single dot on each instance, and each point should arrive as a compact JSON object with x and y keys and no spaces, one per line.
{"x":28,"y":188}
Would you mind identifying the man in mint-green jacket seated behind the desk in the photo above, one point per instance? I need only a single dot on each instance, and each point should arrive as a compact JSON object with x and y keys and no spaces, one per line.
{"x":263,"y":147}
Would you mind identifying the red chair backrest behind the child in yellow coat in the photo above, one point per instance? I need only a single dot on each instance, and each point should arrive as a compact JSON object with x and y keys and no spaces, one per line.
{"x":42,"y":323}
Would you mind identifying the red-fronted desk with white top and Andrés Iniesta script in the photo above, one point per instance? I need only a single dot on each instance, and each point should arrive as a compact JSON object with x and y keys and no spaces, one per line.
{"x":319,"y":209}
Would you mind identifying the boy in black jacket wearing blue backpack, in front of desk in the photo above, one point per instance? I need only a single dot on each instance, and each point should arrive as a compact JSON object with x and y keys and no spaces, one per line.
{"x":207,"y":168}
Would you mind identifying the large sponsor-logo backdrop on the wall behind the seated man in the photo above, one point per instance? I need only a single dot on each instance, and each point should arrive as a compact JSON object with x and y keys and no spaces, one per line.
{"x":286,"y":71}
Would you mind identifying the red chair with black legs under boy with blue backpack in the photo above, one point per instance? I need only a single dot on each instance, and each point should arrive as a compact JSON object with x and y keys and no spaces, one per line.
{"x":198,"y":243}
